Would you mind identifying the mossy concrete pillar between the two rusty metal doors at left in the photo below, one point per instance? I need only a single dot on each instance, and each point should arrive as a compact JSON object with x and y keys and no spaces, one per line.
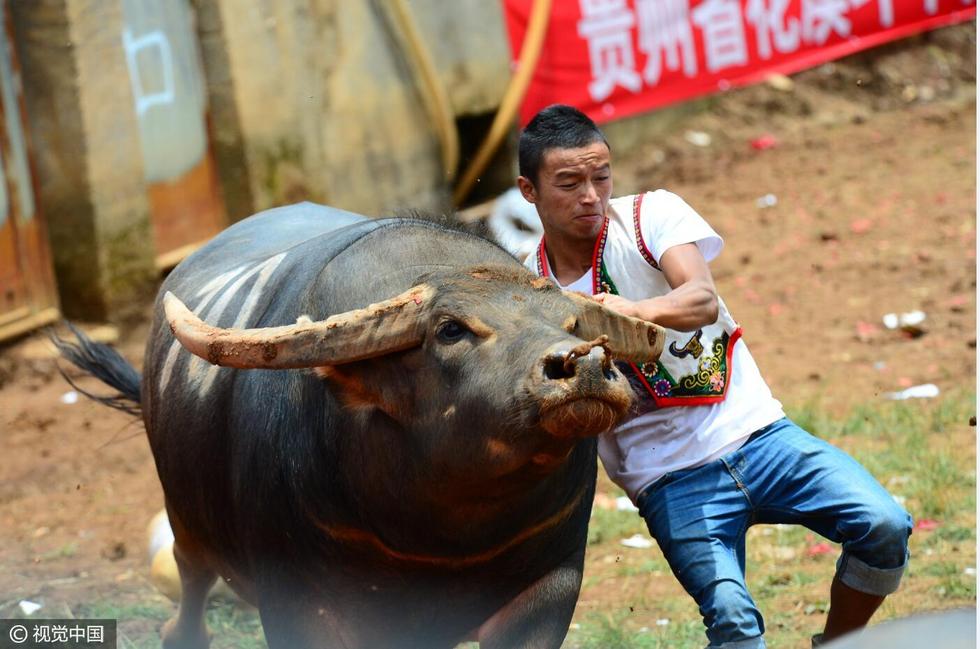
{"x":87,"y":154}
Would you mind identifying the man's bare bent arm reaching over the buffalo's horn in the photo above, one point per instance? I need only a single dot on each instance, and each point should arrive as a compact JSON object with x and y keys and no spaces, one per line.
{"x":691,"y":304}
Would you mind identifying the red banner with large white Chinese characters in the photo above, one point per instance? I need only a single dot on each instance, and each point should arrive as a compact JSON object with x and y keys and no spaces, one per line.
{"x":614,"y":58}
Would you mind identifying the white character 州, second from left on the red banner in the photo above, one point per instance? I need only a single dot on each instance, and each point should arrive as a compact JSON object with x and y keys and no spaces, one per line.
{"x":666,"y":37}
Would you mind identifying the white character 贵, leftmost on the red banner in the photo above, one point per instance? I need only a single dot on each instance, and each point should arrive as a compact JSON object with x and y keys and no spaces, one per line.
{"x":607,"y":24}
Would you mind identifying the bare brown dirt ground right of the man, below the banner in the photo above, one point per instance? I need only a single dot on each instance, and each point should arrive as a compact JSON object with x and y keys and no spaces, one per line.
{"x":875,"y":206}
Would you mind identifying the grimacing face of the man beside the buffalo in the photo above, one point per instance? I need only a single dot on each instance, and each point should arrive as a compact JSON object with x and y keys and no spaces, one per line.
{"x":572,"y":191}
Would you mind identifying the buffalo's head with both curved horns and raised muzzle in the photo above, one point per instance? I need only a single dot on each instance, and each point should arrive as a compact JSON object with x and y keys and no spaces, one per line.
{"x":446,"y":357}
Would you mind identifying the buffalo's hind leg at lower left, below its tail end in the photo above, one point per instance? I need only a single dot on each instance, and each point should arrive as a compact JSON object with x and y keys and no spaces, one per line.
{"x":187,"y":630}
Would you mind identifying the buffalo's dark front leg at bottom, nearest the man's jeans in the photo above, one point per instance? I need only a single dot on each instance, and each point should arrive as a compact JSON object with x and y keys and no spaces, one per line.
{"x":540,"y":615}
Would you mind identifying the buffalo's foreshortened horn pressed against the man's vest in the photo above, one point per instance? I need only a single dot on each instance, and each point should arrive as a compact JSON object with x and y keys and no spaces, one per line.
{"x":630,"y":339}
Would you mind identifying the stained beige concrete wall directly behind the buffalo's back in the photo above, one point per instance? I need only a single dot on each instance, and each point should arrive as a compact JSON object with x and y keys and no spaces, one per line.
{"x":325,"y":106}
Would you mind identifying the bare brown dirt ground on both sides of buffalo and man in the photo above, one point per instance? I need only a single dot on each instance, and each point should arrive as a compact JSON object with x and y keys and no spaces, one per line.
{"x":872,"y":211}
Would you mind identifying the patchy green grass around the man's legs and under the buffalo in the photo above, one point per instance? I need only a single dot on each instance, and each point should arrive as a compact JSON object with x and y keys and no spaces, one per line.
{"x":924,"y":452}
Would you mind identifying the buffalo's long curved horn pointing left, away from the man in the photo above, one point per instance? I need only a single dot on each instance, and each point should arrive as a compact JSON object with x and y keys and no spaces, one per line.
{"x":382,"y":328}
